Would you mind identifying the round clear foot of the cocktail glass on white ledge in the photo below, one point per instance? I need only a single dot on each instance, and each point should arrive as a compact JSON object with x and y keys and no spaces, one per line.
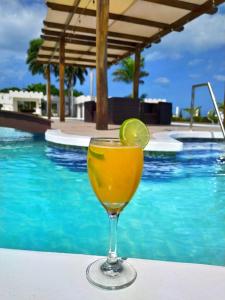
{"x":112,"y":276}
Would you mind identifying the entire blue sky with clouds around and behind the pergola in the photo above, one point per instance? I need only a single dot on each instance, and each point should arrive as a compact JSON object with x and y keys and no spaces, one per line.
{"x":195,"y":55}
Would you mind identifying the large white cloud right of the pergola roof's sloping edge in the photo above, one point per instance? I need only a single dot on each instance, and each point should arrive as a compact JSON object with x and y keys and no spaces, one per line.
{"x":202,"y":34}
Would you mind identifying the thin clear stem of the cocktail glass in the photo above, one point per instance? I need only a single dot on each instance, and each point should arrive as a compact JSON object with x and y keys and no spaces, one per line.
{"x":112,"y":255}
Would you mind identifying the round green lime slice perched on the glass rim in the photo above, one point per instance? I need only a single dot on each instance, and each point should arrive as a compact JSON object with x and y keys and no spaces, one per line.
{"x":134,"y":132}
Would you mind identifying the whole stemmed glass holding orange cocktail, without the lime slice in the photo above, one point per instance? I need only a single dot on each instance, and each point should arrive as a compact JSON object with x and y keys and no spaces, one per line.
{"x":114,"y":171}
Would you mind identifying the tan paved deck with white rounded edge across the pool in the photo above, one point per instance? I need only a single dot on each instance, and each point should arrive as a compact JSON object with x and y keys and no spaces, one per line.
{"x":164,"y":138}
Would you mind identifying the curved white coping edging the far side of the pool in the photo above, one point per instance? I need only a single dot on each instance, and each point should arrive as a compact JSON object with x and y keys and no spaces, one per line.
{"x":160,"y":142}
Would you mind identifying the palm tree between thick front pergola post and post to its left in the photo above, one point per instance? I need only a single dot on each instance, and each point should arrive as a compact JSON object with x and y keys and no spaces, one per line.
{"x":72,"y":74}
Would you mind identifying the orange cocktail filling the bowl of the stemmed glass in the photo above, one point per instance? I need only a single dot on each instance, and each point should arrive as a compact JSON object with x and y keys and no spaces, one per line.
{"x":114,"y":171}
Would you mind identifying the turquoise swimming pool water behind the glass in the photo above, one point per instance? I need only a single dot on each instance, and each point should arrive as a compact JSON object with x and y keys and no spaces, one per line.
{"x":177,"y":214}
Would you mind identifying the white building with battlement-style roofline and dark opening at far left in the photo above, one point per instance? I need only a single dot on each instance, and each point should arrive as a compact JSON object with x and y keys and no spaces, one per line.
{"x":21,"y":101}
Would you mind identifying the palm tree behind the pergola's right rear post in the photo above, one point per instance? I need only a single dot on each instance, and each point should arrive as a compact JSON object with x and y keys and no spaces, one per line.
{"x":125,"y":72}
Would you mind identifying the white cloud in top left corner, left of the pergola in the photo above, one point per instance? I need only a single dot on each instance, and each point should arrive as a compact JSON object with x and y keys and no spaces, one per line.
{"x":19,"y":23}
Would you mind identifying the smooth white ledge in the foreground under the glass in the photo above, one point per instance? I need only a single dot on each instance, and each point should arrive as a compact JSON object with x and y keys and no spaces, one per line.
{"x":30,"y":275}
